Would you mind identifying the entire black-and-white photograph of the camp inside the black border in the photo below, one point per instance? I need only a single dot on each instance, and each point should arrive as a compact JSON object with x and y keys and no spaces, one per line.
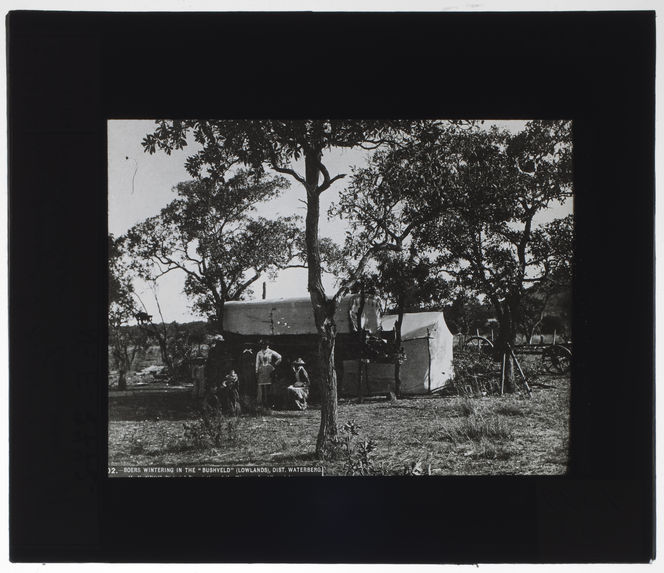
{"x":339,"y":297}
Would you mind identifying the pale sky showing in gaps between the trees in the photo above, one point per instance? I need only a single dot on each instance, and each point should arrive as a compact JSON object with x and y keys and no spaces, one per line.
{"x":140,"y":185}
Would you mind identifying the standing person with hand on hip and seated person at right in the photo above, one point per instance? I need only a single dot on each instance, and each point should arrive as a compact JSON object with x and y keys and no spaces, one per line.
{"x":297,"y":379}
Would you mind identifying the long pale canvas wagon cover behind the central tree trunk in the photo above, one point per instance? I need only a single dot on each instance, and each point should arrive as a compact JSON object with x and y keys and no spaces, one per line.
{"x":294,"y":316}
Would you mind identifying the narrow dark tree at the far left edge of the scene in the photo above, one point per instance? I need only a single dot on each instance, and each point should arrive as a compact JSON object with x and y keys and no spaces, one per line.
{"x":124,"y":341}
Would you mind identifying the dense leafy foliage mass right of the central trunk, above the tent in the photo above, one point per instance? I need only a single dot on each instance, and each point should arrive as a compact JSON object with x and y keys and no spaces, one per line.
{"x":471,"y":199}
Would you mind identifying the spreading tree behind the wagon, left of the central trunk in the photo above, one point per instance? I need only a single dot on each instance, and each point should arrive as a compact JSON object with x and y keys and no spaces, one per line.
{"x":209,"y":232}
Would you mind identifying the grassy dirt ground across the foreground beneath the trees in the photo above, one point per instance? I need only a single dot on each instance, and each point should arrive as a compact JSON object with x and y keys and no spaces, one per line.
{"x":440,"y":435}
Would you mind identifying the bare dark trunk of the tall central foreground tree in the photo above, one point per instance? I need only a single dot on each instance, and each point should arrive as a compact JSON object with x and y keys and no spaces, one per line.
{"x":323,"y":310}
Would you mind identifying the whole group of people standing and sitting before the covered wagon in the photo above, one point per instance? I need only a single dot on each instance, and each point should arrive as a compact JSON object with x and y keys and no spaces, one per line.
{"x":277,"y":384}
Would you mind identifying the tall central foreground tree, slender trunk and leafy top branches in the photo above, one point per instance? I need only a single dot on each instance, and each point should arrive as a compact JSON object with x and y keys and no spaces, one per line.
{"x":275,"y":145}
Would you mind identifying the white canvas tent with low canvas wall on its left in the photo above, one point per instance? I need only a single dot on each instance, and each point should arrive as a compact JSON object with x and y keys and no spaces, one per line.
{"x":427,"y":343}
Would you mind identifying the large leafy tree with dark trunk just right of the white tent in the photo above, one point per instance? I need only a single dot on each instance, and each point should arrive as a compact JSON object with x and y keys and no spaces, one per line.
{"x":488,"y":188}
